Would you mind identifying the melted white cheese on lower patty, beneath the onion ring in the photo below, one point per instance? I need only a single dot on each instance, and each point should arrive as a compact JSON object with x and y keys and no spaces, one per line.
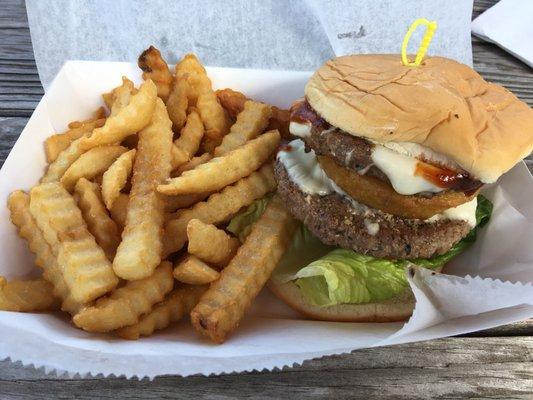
{"x":305,"y":171}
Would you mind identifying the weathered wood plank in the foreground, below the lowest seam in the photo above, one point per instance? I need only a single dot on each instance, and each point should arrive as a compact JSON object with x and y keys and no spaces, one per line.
{"x":495,"y":367}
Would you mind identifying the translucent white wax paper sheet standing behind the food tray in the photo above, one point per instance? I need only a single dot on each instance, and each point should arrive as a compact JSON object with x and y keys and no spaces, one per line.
{"x":272,"y":34}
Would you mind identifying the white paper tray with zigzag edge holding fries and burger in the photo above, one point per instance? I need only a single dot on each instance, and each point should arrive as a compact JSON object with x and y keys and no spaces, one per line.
{"x":271,"y":335}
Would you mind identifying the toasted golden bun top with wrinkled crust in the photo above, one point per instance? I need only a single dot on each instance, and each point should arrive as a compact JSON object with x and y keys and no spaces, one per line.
{"x":441,"y":104}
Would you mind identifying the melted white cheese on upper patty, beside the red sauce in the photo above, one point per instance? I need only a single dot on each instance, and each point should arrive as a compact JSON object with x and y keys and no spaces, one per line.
{"x":400,"y":169}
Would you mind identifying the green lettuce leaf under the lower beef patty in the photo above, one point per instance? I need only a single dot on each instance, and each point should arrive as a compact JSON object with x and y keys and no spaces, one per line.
{"x":328,"y":276}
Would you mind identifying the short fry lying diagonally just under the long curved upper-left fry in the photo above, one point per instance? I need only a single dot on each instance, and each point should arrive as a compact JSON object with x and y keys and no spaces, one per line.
{"x":96,"y":161}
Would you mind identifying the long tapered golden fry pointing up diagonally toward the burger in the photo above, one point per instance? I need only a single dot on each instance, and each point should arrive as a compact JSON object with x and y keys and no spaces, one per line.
{"x":225,"y":170}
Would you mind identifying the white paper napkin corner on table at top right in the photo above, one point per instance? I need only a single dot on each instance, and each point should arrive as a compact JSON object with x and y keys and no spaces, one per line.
{"x":509,"y":24}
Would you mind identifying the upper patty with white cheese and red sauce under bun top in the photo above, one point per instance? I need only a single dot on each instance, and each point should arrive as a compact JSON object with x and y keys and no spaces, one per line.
{"x":410,"y":168}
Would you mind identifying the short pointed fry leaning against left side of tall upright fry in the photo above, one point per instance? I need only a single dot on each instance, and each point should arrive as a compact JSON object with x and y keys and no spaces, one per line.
{"x":116,"y":176}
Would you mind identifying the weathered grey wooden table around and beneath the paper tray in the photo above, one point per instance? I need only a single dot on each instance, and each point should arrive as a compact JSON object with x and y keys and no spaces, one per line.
{"x":497,"y":363}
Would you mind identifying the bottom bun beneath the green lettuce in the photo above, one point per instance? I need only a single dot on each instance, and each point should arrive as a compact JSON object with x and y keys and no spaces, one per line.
{"x":398,"y":308}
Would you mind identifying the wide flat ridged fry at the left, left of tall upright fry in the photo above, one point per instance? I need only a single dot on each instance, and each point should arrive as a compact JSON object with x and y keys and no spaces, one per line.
{"x":86,"y":270}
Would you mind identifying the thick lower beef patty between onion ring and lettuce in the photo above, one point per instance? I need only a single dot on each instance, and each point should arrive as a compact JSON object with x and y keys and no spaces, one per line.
{"x":337,"y":221}
